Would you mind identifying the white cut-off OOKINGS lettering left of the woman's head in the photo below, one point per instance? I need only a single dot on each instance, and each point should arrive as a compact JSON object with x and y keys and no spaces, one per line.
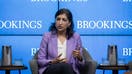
{"x":20,"y":24}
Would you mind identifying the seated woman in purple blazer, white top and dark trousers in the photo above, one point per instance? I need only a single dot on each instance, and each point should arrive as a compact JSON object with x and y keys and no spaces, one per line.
{"x":60,"y":49}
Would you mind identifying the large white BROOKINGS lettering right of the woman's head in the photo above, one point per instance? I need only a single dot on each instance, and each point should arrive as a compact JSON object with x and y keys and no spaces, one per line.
{"x":104,"y":24}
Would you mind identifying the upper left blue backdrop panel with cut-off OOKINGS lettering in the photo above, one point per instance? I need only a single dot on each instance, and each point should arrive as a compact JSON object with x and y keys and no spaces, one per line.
{"x":26,"y":16}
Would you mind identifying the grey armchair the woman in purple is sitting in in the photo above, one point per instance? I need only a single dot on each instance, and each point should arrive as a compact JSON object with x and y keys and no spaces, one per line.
{"x":90,"y":64}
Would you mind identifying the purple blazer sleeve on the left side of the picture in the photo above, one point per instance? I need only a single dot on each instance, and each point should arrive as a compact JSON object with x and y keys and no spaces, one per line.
{"x":42,"y":54}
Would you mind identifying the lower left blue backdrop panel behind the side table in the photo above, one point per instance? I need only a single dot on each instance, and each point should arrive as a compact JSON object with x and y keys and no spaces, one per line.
{"x":23,"y":48}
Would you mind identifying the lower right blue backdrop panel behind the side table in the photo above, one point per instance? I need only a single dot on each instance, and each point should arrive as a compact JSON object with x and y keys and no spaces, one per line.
{"x":97,"y":46}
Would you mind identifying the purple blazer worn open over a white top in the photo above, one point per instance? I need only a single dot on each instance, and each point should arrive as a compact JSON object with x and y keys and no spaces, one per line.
{"x":48,"y":51}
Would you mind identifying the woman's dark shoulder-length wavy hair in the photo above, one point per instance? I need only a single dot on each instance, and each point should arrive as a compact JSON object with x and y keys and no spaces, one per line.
{"x":69,"y":30}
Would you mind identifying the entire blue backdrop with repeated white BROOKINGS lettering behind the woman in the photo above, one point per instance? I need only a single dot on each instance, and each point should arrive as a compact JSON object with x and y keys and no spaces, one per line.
{"x":99,"y":22}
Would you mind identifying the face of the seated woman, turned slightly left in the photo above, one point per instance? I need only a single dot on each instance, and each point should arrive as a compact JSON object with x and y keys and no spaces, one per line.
{"x":62,"y":23}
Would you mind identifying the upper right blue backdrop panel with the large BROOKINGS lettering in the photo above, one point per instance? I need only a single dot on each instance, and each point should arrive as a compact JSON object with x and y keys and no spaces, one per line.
{"x":93,"y":17}
